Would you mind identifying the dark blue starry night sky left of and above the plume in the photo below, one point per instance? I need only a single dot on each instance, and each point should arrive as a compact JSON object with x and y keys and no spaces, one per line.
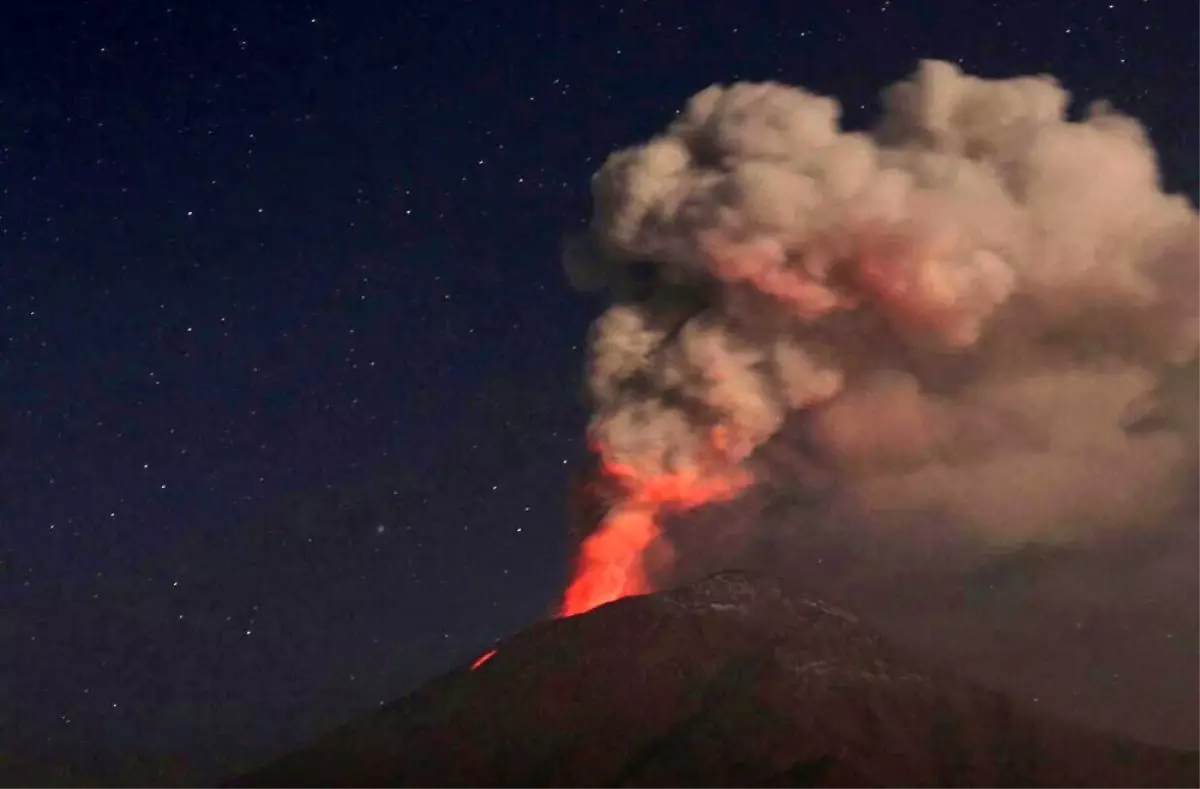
{"x":289,"y":370}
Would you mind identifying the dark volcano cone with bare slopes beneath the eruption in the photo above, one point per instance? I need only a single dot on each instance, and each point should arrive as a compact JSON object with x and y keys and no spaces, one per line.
{"x":728,"y":683}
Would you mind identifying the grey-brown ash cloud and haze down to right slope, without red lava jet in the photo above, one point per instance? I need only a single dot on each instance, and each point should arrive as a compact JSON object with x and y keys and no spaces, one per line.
{"x":926,"y":342}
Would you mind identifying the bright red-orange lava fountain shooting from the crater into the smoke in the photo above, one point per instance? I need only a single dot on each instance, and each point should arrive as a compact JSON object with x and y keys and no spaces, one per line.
{"x":610,"y":565}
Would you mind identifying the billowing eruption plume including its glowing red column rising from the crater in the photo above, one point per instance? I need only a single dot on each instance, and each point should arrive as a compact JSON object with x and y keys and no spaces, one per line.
{"x":946,"y":318}
